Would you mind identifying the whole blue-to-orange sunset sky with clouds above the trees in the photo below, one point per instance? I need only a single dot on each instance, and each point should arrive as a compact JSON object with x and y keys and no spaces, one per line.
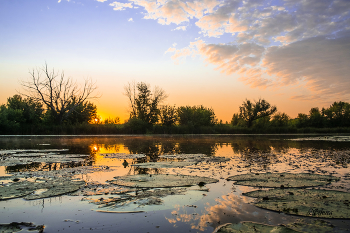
{"x":217,"y":53}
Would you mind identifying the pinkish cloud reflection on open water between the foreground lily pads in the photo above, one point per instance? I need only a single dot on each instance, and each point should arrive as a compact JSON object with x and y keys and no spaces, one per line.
{"x":231,"y":208}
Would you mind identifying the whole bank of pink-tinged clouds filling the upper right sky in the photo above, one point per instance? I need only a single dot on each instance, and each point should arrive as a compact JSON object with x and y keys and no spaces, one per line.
{"x":274,"y":43}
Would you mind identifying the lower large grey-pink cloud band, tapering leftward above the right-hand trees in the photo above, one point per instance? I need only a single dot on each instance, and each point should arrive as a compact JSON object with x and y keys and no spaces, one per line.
{"x":320,"y":63}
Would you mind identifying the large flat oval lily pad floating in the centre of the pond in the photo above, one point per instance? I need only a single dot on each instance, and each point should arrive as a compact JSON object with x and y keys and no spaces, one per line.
{"x":161,"y":181}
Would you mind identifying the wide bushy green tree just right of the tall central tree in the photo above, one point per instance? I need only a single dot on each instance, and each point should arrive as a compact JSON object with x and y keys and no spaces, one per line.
{"x":196,"y":116}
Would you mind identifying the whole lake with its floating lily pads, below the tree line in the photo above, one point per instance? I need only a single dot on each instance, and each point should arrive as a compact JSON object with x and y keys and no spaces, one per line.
{"x":157,"y":198}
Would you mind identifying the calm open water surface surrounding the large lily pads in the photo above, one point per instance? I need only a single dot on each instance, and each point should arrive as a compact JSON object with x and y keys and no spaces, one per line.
{"x":100,"y":159}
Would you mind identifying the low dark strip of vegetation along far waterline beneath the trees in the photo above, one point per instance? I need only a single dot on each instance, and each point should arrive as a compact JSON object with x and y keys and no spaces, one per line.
{"x":116,"y":129}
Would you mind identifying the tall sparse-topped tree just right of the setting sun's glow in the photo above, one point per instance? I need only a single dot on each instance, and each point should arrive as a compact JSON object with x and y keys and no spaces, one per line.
{"x":143,"y":102}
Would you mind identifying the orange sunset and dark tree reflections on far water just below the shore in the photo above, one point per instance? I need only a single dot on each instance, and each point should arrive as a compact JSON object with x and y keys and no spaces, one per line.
{"x":254,"y":152}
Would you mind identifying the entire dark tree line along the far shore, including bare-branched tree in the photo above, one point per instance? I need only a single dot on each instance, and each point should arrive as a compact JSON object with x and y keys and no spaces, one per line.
{"x":51,"y":103}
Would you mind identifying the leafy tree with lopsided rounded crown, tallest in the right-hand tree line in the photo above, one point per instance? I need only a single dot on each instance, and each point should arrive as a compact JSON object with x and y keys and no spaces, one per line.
{"x":250,"y":112}
